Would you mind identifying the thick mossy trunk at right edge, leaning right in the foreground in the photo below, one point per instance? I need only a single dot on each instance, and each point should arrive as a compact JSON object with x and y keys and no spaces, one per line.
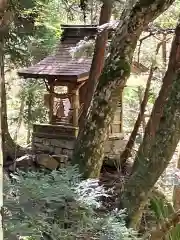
{"x":162,"y":146}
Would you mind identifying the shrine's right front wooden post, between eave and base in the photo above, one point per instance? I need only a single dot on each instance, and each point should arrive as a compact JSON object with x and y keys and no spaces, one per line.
{"x":75,"y":106}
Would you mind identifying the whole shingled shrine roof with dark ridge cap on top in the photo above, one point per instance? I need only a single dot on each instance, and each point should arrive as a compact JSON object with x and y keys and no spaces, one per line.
{"x":62,"y":65}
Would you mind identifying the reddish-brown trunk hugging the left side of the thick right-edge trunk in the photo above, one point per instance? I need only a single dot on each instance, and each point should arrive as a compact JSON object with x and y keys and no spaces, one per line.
{"x":158,"y":107}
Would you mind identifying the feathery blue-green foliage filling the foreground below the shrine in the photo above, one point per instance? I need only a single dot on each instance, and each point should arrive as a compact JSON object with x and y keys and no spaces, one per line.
{"x":59,"y":206}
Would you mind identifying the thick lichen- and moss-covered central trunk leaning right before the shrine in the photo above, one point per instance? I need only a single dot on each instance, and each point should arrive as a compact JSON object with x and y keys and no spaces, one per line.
{"x":89,"y":150}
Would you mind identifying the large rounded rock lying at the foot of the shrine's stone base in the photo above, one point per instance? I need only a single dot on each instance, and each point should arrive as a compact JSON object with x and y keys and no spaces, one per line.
{"x":47,"y":161}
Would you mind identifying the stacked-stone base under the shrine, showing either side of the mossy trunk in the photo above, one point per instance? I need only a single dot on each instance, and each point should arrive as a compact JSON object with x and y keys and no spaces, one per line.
{"x":62,"y":142}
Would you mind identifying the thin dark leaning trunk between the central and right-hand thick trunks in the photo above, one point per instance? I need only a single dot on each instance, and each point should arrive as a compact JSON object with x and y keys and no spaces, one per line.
{"x":129,"y":146}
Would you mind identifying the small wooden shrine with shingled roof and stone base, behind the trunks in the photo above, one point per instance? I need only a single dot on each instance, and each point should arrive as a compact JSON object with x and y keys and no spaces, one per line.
{"x":59,"y":70}
